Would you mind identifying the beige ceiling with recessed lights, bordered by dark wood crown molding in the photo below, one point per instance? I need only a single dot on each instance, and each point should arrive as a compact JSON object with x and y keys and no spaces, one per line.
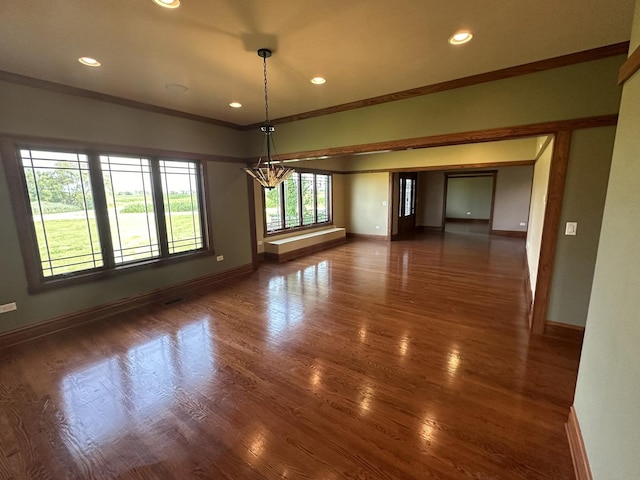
{"x":363,"y":48}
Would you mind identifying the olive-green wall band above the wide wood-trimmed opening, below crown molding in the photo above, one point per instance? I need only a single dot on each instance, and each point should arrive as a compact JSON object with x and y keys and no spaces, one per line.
{"x":576,"y":91}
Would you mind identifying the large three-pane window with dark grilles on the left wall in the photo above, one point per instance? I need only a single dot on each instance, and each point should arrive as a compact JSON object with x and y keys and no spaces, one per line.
{"x":91,"y":212}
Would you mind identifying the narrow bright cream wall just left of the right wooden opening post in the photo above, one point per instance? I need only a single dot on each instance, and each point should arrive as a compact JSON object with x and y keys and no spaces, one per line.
{"x":537,"y":211}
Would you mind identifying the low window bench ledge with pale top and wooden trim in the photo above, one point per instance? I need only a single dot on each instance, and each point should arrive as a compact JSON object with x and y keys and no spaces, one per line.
{"x":297,"y":246}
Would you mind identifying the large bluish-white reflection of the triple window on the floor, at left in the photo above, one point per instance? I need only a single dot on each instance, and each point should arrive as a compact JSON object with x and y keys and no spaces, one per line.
{"x":107,"y":399}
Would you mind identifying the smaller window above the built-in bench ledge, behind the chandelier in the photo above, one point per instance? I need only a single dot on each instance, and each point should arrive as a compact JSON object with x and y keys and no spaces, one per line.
{"x":301,"y":201}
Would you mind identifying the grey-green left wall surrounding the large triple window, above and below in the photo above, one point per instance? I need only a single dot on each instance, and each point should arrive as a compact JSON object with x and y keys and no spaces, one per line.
{"x":29,"y":111}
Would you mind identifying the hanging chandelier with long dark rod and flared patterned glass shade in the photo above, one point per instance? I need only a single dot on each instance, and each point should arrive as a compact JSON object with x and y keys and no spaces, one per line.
{"x":268,"y":174}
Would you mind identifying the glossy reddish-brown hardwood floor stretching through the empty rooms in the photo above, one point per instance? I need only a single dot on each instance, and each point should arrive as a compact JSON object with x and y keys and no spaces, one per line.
{"x":409,"y":360}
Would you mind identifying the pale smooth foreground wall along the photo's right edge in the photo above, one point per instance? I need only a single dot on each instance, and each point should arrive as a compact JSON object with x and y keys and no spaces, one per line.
{"x":607,"y":399}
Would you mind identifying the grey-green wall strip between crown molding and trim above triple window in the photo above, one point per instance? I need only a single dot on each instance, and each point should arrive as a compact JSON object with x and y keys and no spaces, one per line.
{"x":31,"y":111}
